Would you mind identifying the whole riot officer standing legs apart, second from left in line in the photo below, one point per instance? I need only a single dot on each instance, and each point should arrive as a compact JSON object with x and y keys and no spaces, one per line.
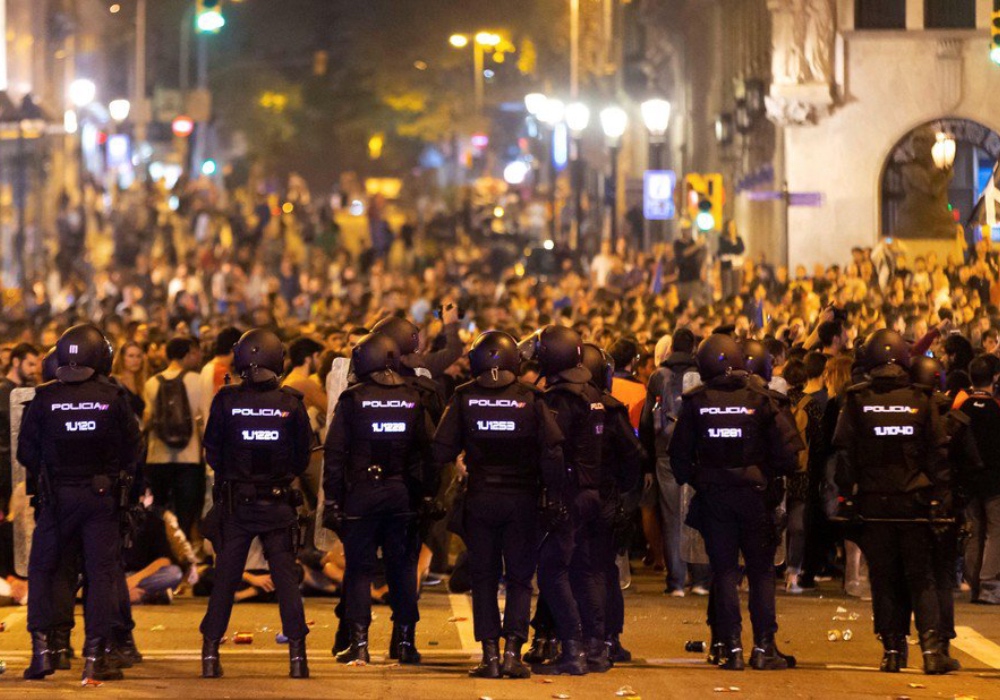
{"x":258,"y":441}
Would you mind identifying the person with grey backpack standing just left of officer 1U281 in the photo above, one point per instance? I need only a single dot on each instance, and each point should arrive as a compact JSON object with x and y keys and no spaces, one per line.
{"x":656,"y":425}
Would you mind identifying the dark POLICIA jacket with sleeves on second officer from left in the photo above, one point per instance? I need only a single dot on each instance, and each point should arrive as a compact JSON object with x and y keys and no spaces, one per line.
{"x":259,"y":433}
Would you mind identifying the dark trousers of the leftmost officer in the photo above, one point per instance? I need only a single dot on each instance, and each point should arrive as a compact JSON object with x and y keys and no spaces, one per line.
{"x":77,"y":517}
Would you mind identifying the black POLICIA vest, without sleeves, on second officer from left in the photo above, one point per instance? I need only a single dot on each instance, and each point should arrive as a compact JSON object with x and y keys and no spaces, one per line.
{"x":258,"y":437}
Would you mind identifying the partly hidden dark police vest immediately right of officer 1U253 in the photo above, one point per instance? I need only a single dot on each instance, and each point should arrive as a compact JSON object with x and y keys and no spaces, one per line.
{"x":583,"y":448}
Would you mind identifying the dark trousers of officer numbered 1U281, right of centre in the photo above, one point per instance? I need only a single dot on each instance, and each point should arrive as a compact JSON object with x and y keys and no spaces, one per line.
{"x":737,"y":522}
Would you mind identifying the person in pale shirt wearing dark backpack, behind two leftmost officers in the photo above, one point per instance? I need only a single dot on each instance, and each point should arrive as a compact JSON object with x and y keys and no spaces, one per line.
{"x":174,"y":470}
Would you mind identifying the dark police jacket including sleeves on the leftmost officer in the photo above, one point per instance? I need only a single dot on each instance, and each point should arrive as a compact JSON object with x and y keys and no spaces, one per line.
{"x":80,"y":430}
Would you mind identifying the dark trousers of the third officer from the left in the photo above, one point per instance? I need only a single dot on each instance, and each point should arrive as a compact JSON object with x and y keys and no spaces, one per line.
{"x":380,"y":514}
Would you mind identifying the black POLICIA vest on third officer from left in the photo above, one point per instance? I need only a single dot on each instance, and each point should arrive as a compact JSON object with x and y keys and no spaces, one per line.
{"x":384,"y":429}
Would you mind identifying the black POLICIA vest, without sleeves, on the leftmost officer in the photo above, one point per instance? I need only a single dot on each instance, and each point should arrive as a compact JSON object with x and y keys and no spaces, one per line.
{"x":81,"y":428}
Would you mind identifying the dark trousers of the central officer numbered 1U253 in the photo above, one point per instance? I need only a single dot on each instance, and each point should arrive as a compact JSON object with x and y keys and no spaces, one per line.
{"x":500,"y":535}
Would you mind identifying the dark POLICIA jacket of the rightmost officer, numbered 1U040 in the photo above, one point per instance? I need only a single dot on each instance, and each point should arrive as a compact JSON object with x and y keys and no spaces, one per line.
{"x":892,"y":439}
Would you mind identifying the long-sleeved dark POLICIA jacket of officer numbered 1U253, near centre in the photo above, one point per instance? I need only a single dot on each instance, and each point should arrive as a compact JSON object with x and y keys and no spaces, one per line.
{"x":510,"y":437}
